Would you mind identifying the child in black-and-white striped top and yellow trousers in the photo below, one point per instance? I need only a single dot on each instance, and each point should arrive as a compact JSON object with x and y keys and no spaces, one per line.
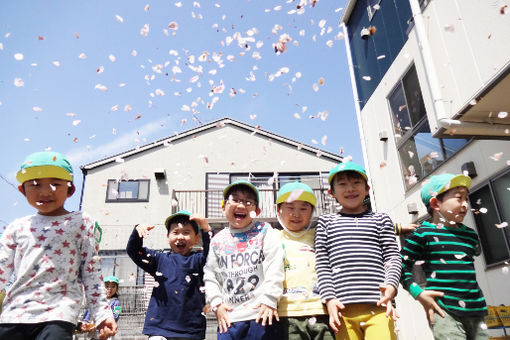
{"x":358,"y":262}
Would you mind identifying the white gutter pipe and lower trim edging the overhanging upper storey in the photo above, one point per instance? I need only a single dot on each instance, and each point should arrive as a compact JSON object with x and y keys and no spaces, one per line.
{"x":458,"y":127}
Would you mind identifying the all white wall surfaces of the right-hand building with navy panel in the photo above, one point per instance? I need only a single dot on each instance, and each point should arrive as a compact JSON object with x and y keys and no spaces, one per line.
{"x":462,"y":69}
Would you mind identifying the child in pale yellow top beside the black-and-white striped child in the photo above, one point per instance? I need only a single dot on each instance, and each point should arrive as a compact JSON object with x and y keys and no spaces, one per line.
{"x":302,"y":314}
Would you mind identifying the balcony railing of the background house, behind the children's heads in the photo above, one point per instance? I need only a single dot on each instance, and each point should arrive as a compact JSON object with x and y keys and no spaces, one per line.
{"x":208,"y":203}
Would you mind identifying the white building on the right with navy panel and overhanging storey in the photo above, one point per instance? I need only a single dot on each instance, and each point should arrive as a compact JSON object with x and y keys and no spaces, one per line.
{"x":431,"y":83}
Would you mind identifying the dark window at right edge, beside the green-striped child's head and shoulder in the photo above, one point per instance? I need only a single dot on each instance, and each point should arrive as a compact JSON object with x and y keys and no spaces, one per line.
{"x":491,"y":205}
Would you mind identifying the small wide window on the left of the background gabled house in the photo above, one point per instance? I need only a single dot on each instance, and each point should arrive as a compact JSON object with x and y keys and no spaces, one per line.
{"x":128,"y":191}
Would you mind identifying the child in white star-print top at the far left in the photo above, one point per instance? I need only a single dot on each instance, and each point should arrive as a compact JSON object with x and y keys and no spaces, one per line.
{"x":53,"y":254}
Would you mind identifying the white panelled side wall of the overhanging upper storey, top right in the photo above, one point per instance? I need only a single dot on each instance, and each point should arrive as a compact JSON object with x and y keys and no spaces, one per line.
{"x":470,"y":45}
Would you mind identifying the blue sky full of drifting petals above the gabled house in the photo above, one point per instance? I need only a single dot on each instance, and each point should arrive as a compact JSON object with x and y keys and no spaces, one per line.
{"x":93,"y":78}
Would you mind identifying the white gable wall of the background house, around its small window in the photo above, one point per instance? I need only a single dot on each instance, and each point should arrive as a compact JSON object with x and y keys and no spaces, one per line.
{"x":228,"y":149}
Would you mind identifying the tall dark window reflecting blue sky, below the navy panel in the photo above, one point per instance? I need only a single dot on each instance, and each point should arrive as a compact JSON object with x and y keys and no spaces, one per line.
{"x":420,"y":153}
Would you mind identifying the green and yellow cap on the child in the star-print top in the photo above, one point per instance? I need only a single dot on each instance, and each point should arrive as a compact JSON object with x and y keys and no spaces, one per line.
{"x":46,"y":164}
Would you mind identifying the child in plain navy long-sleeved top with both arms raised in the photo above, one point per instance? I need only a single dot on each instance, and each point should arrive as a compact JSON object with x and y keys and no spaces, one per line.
{"x":175,"y":307}
